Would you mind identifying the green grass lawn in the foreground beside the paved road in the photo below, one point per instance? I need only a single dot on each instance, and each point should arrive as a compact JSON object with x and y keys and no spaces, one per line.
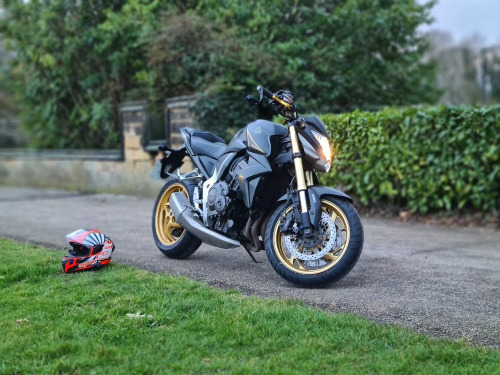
{"x":78,"y":324}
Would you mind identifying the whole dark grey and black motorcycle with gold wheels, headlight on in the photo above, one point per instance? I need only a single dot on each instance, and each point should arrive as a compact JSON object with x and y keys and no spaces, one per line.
{"x":260,"y":191}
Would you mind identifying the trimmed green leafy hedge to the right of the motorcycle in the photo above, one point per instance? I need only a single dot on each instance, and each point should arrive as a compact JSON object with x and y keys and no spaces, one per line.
{"x":426,"y":159}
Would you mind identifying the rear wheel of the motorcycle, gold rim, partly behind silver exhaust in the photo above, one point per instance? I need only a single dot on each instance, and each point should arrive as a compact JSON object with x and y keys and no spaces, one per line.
{"x":170,"y":237}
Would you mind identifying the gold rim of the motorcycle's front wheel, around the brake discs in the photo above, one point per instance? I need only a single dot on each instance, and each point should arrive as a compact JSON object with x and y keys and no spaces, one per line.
{"x":331,"y":258}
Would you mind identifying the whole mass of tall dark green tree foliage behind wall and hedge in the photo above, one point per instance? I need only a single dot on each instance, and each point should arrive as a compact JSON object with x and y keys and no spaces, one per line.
{"x":76,"y":61}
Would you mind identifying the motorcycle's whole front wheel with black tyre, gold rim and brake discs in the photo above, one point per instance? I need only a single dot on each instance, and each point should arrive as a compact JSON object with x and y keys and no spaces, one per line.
{"x":326,"y":257}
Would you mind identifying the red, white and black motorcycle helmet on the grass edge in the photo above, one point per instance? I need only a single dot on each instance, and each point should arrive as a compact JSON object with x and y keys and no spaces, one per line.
{"x":90,"y":250}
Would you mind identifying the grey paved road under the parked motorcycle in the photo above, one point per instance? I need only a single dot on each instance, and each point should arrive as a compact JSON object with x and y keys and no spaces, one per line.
{"x":439,"y":281}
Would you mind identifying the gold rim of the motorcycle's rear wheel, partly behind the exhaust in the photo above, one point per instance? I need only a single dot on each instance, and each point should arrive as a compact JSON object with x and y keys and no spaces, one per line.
{"x":164,"y":218}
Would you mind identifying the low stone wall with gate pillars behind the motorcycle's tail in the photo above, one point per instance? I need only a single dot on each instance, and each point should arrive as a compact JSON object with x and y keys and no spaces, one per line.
{"x":125,"y":171}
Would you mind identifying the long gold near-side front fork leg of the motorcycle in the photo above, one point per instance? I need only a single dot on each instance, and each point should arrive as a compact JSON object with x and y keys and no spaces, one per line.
{"x":300,"y":176}
